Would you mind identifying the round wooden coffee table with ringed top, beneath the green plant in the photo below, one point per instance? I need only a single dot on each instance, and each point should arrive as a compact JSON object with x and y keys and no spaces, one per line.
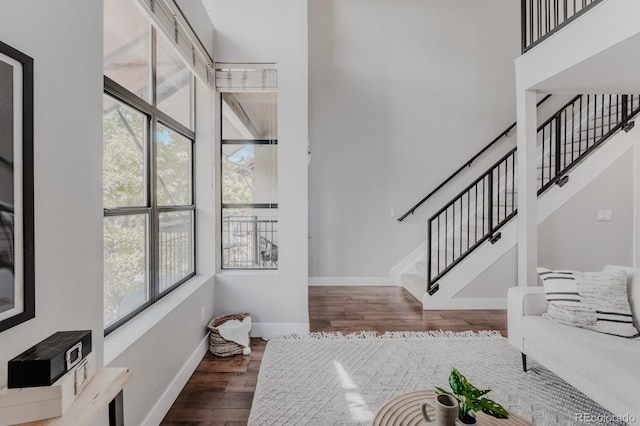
{"x":405,"y":410}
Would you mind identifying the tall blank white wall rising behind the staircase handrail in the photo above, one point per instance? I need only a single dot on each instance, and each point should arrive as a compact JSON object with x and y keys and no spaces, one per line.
{"x":400,"y":94}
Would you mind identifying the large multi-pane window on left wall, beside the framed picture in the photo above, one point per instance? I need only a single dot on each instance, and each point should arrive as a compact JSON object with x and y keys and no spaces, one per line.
{"x":148,"y":167}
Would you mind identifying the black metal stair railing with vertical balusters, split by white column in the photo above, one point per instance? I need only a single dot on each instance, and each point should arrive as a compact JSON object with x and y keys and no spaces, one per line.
{"x":487,"y":204}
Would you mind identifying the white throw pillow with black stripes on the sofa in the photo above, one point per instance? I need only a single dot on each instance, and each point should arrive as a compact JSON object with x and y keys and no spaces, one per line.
{"x":594,"y":300}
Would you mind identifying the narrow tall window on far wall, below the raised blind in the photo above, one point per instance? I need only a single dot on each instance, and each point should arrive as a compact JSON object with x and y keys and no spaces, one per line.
{"x":249,"y":178}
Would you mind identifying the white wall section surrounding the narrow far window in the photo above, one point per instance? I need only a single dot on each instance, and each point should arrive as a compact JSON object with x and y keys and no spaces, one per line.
{"x":273,"y":32}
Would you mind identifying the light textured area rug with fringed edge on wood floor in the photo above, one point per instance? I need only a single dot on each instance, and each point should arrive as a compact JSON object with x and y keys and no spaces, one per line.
{"x":330,"y":379}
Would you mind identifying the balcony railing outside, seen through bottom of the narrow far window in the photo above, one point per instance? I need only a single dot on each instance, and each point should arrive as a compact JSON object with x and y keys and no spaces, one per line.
{"x":249,"y":243}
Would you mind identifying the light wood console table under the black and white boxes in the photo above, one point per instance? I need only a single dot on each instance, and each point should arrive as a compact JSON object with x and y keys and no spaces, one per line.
{"x":104,"y":388}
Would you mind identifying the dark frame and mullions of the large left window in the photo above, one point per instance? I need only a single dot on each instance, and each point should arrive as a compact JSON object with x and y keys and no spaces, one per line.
{"x":152,"y":210}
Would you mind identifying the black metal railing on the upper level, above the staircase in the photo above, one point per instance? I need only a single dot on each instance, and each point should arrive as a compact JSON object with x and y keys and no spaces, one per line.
{"x":542,"y":18}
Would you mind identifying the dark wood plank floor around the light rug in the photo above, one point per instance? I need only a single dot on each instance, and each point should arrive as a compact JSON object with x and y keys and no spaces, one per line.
{"x":221,"y":389}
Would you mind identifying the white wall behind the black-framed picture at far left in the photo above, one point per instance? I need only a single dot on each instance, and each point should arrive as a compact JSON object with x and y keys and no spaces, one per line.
{"x":68,"y":166}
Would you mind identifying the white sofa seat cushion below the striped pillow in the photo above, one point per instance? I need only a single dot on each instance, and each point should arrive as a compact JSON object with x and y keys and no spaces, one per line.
{"x":586,"y":358}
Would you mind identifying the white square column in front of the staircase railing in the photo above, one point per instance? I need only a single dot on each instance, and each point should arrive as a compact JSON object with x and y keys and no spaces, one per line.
{"x":527,"y":188}
